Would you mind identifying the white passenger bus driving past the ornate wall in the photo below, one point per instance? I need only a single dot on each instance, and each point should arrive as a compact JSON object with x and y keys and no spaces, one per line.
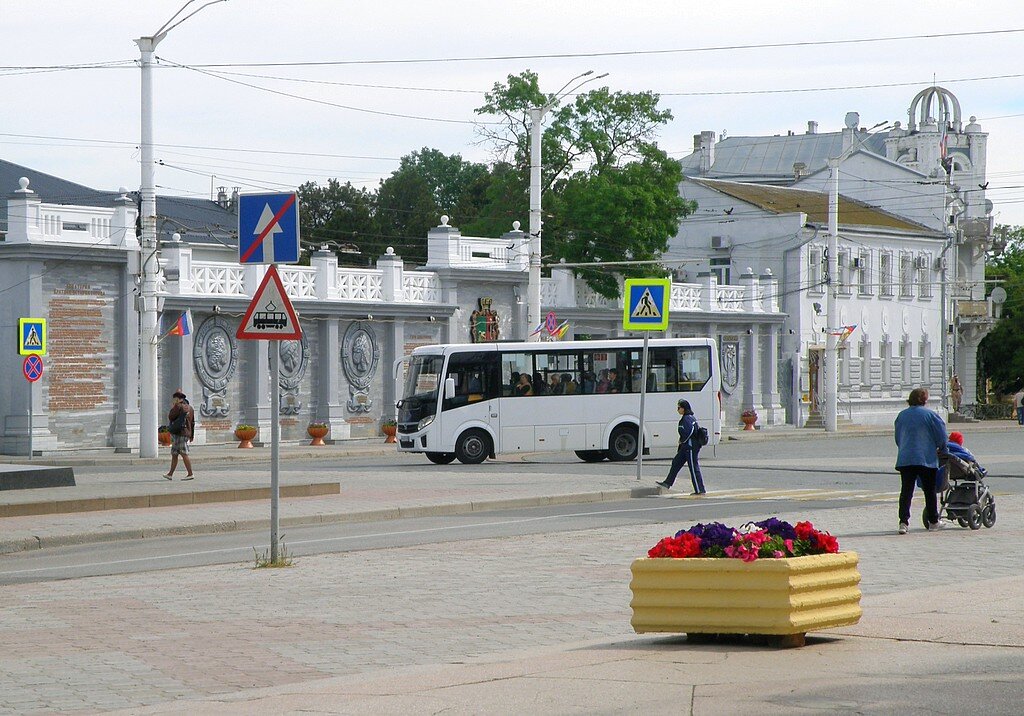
{"x":473,"y":402}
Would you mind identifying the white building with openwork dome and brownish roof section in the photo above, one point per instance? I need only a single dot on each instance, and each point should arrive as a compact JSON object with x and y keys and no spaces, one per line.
{"x":914,"y":229}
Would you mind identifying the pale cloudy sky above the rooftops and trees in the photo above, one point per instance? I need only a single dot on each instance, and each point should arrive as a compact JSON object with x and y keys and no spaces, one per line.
{"x":202,"y":111}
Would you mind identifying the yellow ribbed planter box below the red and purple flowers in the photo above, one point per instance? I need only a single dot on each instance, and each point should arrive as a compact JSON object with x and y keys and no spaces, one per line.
{"x":730,"y":597}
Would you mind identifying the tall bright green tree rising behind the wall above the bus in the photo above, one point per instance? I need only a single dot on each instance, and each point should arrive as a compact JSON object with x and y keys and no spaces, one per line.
{"x":610,"y":193}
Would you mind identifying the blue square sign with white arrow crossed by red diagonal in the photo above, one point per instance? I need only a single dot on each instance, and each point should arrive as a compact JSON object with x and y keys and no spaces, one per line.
{"x":269,"y":228}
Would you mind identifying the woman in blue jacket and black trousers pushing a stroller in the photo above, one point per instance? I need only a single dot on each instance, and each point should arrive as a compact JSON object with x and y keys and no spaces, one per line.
{"x":920,"y":434}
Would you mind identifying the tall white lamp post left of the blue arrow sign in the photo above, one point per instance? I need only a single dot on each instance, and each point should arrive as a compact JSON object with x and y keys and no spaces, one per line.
{"x":149,"y":265}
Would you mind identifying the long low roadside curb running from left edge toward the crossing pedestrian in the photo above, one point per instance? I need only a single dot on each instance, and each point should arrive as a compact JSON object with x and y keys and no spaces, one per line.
{"x":28,"y":544}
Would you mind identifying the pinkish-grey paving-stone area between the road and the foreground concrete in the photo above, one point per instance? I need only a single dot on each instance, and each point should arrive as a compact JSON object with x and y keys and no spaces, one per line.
{"x":174,"y":637}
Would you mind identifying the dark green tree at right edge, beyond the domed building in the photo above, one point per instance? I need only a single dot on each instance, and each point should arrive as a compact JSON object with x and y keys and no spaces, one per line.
{"x":1002,"y":352}
